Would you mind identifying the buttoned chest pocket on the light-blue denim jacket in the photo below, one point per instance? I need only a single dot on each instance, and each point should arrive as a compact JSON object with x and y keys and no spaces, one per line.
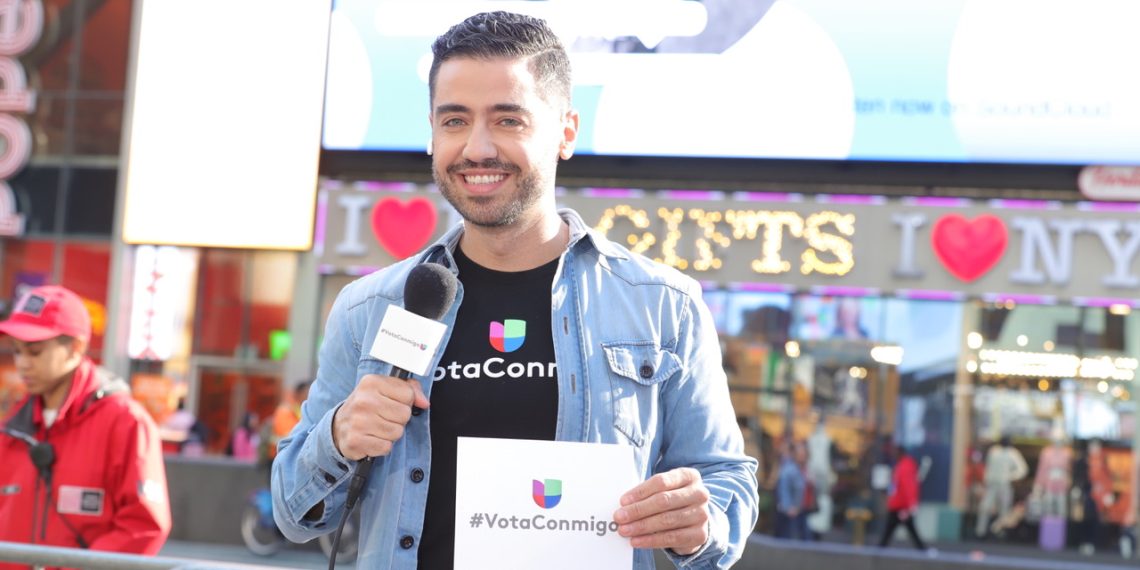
{"x":637,"y":372}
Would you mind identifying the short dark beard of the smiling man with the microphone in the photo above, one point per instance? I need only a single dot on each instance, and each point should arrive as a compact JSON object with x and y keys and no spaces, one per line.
{"x":498,"y":211}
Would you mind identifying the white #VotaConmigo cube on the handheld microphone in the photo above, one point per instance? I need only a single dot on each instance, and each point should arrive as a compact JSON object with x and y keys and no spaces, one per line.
{"x":408,"y":340}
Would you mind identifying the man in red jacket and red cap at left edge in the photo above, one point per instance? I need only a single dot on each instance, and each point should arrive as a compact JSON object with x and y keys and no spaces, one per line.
{"x":103,"y":485}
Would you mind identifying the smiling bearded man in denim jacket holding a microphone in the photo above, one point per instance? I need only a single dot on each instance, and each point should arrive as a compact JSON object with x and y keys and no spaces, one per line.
{"x":637,"y":353}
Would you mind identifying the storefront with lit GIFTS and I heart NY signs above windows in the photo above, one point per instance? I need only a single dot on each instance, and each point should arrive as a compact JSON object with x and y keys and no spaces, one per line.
{"x":946,"y":323}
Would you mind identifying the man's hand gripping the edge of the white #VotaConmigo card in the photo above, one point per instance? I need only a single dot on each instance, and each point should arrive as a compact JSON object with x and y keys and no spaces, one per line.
{"x":669,"y":511}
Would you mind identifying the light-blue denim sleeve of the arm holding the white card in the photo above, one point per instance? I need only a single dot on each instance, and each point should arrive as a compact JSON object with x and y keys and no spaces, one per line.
{"x":696,"y":403}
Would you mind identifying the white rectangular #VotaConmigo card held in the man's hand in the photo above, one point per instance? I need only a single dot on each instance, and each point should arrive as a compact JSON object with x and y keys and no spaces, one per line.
{"x":541,"y":504}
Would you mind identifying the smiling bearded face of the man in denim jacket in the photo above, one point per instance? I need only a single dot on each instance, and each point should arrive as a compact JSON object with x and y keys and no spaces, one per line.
{"x":496,"y":141}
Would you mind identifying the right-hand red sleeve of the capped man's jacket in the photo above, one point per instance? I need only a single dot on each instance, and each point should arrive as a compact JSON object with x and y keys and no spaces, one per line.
{"x":139,"y":478}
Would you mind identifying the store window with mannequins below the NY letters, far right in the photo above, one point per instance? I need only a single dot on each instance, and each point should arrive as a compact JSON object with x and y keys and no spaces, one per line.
{"x":1055,"y":384}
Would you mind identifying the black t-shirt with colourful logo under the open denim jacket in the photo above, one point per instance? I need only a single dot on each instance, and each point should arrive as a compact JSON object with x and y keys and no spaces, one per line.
{"x":498,"y":379}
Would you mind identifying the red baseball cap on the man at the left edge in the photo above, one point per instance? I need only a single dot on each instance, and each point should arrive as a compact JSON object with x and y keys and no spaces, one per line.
{"x":46,"y":313}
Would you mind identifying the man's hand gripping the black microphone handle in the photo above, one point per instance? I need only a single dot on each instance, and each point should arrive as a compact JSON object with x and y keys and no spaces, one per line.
{"x":373,"y":418}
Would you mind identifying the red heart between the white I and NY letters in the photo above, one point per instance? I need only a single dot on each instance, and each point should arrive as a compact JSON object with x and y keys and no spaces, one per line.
{"x":968,"y":249}
